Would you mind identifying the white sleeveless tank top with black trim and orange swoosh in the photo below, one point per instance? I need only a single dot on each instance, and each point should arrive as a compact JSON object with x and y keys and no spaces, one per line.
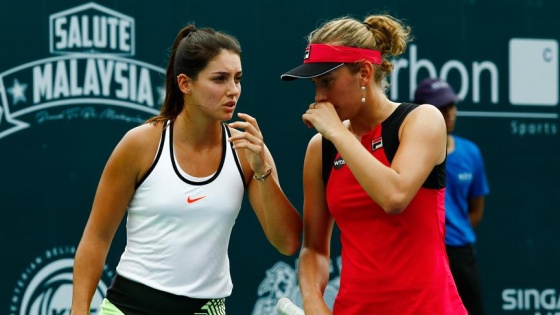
{"x":178,"y":226}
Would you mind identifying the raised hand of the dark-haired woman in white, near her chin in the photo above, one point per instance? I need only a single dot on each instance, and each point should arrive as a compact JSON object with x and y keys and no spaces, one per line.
{"x":252,"y":140}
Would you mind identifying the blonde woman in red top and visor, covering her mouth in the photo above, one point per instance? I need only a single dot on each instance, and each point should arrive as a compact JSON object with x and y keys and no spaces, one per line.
{"x":387,"y":179}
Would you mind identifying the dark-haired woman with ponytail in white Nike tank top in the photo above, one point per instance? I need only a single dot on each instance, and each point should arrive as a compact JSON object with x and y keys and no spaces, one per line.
{"x":181,"y":178}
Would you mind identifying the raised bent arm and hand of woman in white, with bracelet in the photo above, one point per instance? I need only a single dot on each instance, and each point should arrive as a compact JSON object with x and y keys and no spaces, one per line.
{"x":279,"y":219}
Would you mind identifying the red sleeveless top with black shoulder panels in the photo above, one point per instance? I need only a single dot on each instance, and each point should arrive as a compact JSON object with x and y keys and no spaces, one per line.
{"x":391,"y":264}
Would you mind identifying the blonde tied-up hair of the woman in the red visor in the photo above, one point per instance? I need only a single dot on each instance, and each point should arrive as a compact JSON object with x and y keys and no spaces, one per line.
{"x":382,"y":32}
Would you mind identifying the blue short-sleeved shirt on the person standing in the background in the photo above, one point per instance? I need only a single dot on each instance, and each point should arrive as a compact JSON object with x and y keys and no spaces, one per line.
{"x":466,"y":178}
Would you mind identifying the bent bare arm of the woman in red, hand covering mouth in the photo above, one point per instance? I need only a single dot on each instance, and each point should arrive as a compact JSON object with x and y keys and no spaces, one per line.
{"x":422,"y":146}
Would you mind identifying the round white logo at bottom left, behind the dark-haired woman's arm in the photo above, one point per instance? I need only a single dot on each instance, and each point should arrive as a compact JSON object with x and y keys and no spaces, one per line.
{"x":45,"y":286}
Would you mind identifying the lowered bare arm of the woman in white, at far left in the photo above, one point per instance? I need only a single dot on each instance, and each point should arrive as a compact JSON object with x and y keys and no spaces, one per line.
{"x":115,"y":189}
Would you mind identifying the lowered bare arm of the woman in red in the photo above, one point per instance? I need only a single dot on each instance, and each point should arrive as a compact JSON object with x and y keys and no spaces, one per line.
{"x":314,"y":258}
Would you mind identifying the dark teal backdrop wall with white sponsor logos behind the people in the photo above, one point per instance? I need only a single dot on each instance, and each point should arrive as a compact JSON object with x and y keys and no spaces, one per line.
{"x":63,"y":109}
